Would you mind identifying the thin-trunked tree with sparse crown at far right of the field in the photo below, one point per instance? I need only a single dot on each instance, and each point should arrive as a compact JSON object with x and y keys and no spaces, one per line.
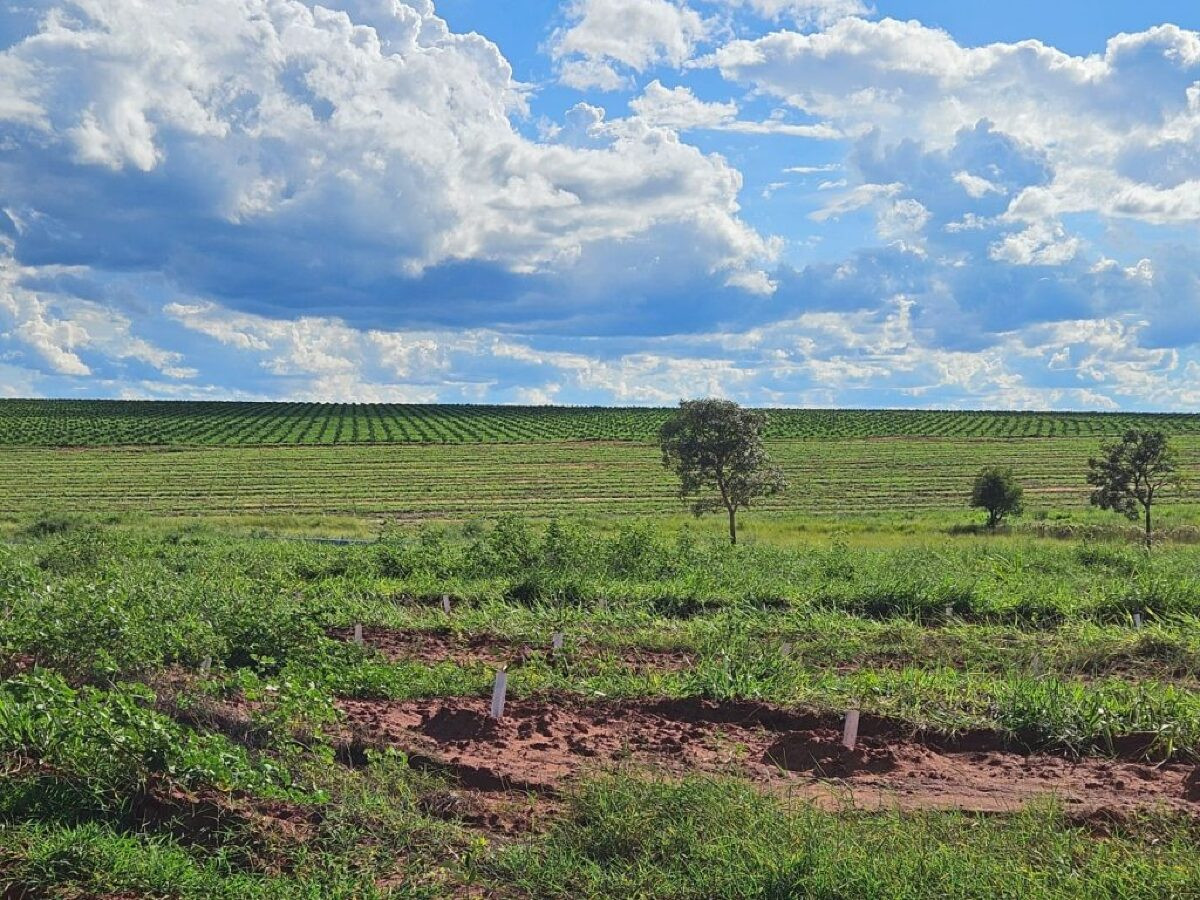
{"x":1131,"y":475}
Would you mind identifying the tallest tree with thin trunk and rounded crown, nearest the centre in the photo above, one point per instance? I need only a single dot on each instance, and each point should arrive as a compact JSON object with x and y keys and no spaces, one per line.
{"x":716,"y":448}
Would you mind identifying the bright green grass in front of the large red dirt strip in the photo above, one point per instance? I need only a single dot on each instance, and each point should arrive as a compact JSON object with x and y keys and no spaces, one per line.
{"x":712,"y":839}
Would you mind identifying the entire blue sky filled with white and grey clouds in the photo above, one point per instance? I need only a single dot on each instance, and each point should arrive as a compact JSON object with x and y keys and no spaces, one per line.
{"x":812,"y":203}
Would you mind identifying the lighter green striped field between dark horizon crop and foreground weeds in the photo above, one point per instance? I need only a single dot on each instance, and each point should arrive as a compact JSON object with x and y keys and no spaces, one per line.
{"x":853,"y":477}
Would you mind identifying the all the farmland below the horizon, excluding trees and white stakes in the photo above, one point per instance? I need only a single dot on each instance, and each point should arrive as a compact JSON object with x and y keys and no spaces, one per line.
{"x":185,"y":713}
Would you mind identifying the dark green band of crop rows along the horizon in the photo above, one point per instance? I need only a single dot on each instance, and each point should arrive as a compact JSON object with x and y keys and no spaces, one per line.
{"x":61,"y":423}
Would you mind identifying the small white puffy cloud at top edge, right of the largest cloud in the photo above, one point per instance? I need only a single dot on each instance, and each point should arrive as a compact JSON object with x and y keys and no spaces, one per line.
{"x":607,"y":39}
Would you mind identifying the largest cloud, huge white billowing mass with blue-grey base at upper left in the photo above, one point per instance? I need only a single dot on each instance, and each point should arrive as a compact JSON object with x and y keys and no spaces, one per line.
{"x":333,"y":158}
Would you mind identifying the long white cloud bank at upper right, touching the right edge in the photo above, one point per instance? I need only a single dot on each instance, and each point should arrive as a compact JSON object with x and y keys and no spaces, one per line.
{"x":1117,"y":130}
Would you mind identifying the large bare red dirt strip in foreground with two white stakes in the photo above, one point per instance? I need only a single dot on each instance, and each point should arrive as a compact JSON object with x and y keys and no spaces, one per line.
{"x":543,"y":745}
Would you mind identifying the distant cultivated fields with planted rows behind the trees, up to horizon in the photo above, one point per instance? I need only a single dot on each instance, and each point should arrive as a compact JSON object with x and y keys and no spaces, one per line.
{"x":418,"y":463}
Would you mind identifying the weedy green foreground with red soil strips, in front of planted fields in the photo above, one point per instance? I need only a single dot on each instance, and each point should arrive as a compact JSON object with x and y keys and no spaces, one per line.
{"x":184,"y":715}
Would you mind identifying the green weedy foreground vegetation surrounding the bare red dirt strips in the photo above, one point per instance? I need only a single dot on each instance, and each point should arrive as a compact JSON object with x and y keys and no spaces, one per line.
{"x":104,"y":712}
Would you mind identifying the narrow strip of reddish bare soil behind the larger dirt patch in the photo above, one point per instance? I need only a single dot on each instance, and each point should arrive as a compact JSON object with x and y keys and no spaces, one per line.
{"x":433,"y":647}
